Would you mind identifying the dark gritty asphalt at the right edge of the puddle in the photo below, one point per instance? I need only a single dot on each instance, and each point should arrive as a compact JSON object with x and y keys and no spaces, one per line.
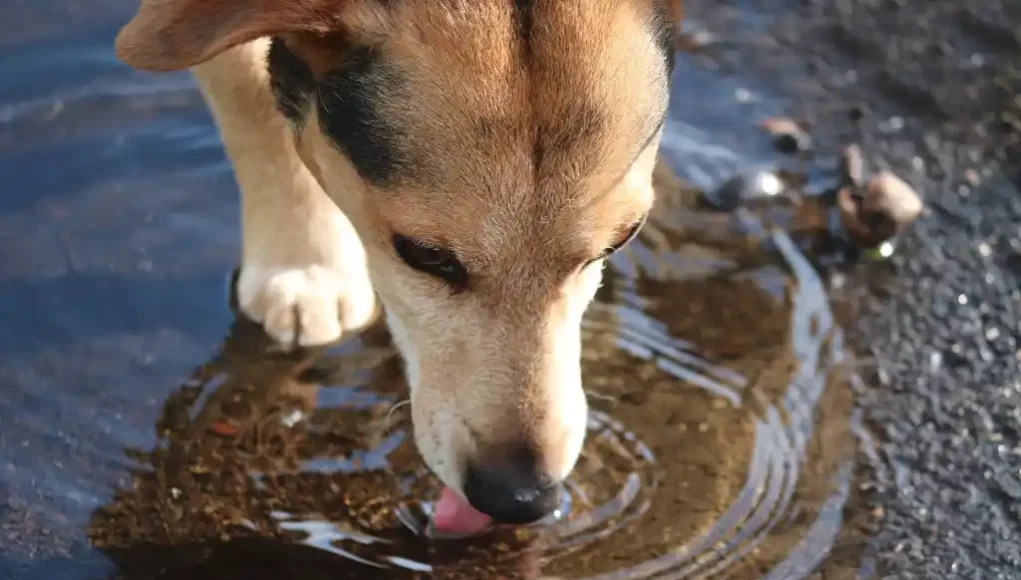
{"x":936,"y":89}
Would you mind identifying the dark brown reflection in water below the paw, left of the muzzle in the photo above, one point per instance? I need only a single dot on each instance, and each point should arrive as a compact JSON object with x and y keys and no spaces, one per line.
{"x":280,"y":466}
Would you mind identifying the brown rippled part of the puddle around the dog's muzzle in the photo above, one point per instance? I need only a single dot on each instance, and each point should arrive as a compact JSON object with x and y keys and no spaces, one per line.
{"x":720,"y":442}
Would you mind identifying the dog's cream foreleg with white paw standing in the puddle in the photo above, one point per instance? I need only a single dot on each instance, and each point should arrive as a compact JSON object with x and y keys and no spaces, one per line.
{"x":304,"y":271}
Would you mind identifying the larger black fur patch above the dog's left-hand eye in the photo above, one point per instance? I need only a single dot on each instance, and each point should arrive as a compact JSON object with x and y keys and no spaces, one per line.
{"x":350,"y":114}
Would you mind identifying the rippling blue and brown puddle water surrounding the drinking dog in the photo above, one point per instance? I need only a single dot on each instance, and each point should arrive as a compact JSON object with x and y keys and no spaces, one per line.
{"x":145,"y":434}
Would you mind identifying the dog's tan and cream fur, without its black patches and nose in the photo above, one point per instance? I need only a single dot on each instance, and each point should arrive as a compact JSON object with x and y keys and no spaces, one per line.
{"x":498,"y":364}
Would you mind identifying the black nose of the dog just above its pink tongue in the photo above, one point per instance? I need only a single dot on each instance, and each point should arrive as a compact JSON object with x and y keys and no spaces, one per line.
{"x":515,"y":494}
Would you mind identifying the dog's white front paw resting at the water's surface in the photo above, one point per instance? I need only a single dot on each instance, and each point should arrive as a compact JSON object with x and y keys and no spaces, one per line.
{"x":306,"y":307}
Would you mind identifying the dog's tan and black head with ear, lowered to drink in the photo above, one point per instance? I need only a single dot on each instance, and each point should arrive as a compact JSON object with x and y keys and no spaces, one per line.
{"x":492,"y":155}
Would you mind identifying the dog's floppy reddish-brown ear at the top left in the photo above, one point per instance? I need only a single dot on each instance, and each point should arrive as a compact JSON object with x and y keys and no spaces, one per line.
{"x":172,"y":35}
